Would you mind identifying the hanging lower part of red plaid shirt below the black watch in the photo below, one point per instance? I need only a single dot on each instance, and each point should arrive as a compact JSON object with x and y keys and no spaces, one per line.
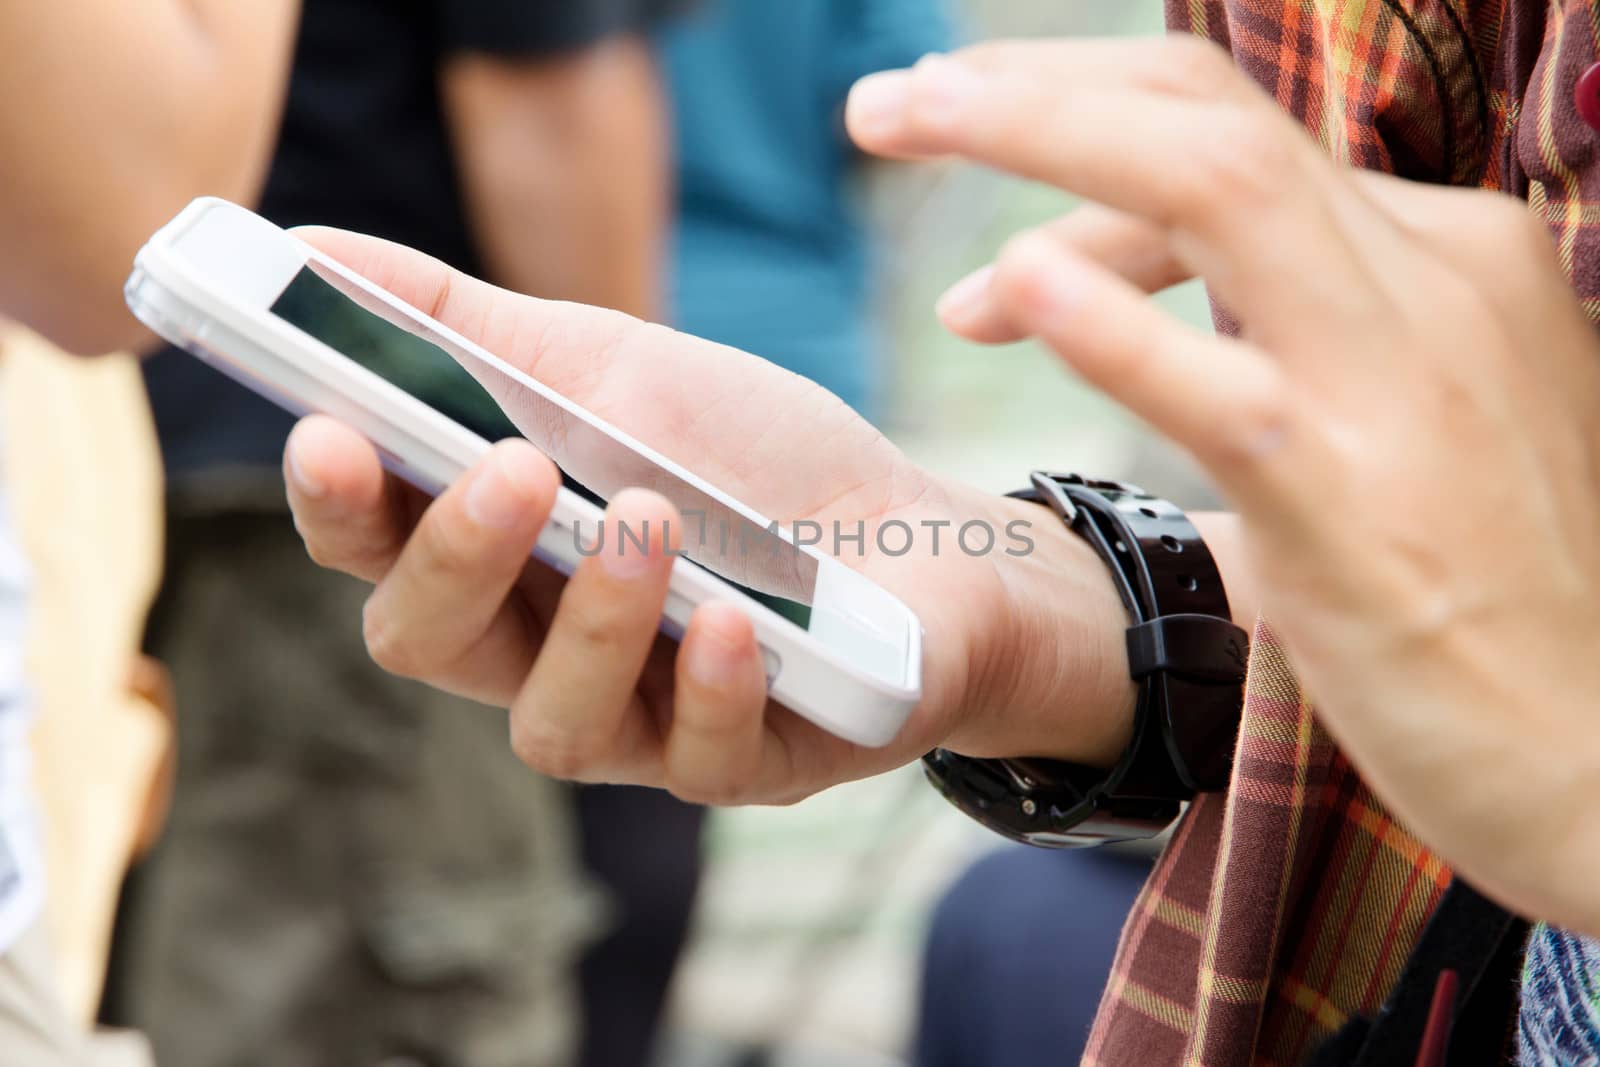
{"x":1278,"y":913}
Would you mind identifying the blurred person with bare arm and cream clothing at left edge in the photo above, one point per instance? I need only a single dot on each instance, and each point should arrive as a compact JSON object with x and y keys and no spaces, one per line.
{"x":94,"y":90}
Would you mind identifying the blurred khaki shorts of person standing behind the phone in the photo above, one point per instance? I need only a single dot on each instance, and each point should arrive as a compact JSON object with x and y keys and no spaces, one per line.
{"x":356,"y":868}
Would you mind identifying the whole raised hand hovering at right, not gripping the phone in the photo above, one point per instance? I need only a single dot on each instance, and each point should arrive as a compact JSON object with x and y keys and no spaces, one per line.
{"x":1409,"y":423}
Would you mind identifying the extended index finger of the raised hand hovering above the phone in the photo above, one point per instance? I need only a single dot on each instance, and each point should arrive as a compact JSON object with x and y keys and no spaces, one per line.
{"x":1257,"y":209}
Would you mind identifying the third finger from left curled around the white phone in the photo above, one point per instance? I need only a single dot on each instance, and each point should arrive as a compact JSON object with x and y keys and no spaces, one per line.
{"x":580,"y":714}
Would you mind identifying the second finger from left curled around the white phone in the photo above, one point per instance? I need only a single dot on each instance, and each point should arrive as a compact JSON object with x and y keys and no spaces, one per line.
{"x":442,"y":613}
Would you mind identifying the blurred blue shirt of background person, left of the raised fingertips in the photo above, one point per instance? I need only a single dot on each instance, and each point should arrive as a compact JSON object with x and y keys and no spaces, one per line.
{"x":770,"y":254}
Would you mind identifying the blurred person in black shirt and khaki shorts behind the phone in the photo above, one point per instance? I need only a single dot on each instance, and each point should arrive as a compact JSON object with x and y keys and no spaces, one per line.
{"x":356,"y":866}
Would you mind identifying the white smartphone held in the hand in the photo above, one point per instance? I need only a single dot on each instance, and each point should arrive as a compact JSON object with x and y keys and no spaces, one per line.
{"x":313,"y":337}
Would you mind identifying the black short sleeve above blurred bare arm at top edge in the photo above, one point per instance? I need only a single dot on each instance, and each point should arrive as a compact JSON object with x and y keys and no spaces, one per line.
{"x":538,"y":28}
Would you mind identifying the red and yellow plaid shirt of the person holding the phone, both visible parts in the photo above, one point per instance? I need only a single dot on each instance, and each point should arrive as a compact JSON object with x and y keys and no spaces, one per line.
{"x":1290,"y":905}
